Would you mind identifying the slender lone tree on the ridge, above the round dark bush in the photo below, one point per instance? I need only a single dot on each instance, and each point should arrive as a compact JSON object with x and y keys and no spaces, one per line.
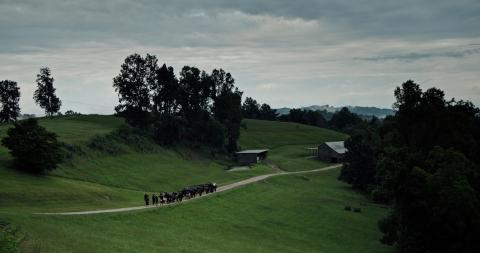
{"x":45,"y":93}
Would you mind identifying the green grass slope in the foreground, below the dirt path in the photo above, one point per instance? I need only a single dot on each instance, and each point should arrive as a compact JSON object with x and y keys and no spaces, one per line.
{"x":301,"y":213}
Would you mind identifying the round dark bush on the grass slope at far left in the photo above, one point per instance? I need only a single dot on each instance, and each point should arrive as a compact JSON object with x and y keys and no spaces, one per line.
{"x":34,"y":148}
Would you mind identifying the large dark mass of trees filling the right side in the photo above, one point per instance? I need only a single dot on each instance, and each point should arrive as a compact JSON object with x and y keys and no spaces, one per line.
{"x":424,"y":161}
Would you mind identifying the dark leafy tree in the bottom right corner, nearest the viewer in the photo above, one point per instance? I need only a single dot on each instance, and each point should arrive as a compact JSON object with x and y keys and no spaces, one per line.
{"x":437,"y":210}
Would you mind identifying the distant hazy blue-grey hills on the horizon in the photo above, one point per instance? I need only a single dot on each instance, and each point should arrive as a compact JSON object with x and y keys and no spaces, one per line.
{"x":360,"y":110}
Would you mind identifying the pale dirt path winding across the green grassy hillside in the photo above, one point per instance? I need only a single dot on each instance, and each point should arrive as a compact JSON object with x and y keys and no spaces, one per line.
{"x":219,"y":189}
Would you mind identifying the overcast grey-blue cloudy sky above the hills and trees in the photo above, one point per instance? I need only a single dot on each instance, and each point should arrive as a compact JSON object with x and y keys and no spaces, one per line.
{"x":282,"y":52}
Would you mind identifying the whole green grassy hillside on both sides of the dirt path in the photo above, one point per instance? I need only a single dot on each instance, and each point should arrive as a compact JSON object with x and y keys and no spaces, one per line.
{"x":301,"y":213}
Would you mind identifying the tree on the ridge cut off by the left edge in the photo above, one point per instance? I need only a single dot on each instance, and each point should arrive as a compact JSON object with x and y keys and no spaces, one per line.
{"x":9,"y":97}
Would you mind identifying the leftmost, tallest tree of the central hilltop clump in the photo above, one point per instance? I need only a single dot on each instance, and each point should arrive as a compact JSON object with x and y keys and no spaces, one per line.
{"x":133,"y":89}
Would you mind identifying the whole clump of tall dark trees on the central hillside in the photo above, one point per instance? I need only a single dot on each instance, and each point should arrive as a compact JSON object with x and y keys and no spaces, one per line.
{"x":199,"y":107}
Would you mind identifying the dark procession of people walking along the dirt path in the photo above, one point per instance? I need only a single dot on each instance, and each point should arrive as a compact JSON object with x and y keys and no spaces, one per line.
{"x":187,"y":192}
